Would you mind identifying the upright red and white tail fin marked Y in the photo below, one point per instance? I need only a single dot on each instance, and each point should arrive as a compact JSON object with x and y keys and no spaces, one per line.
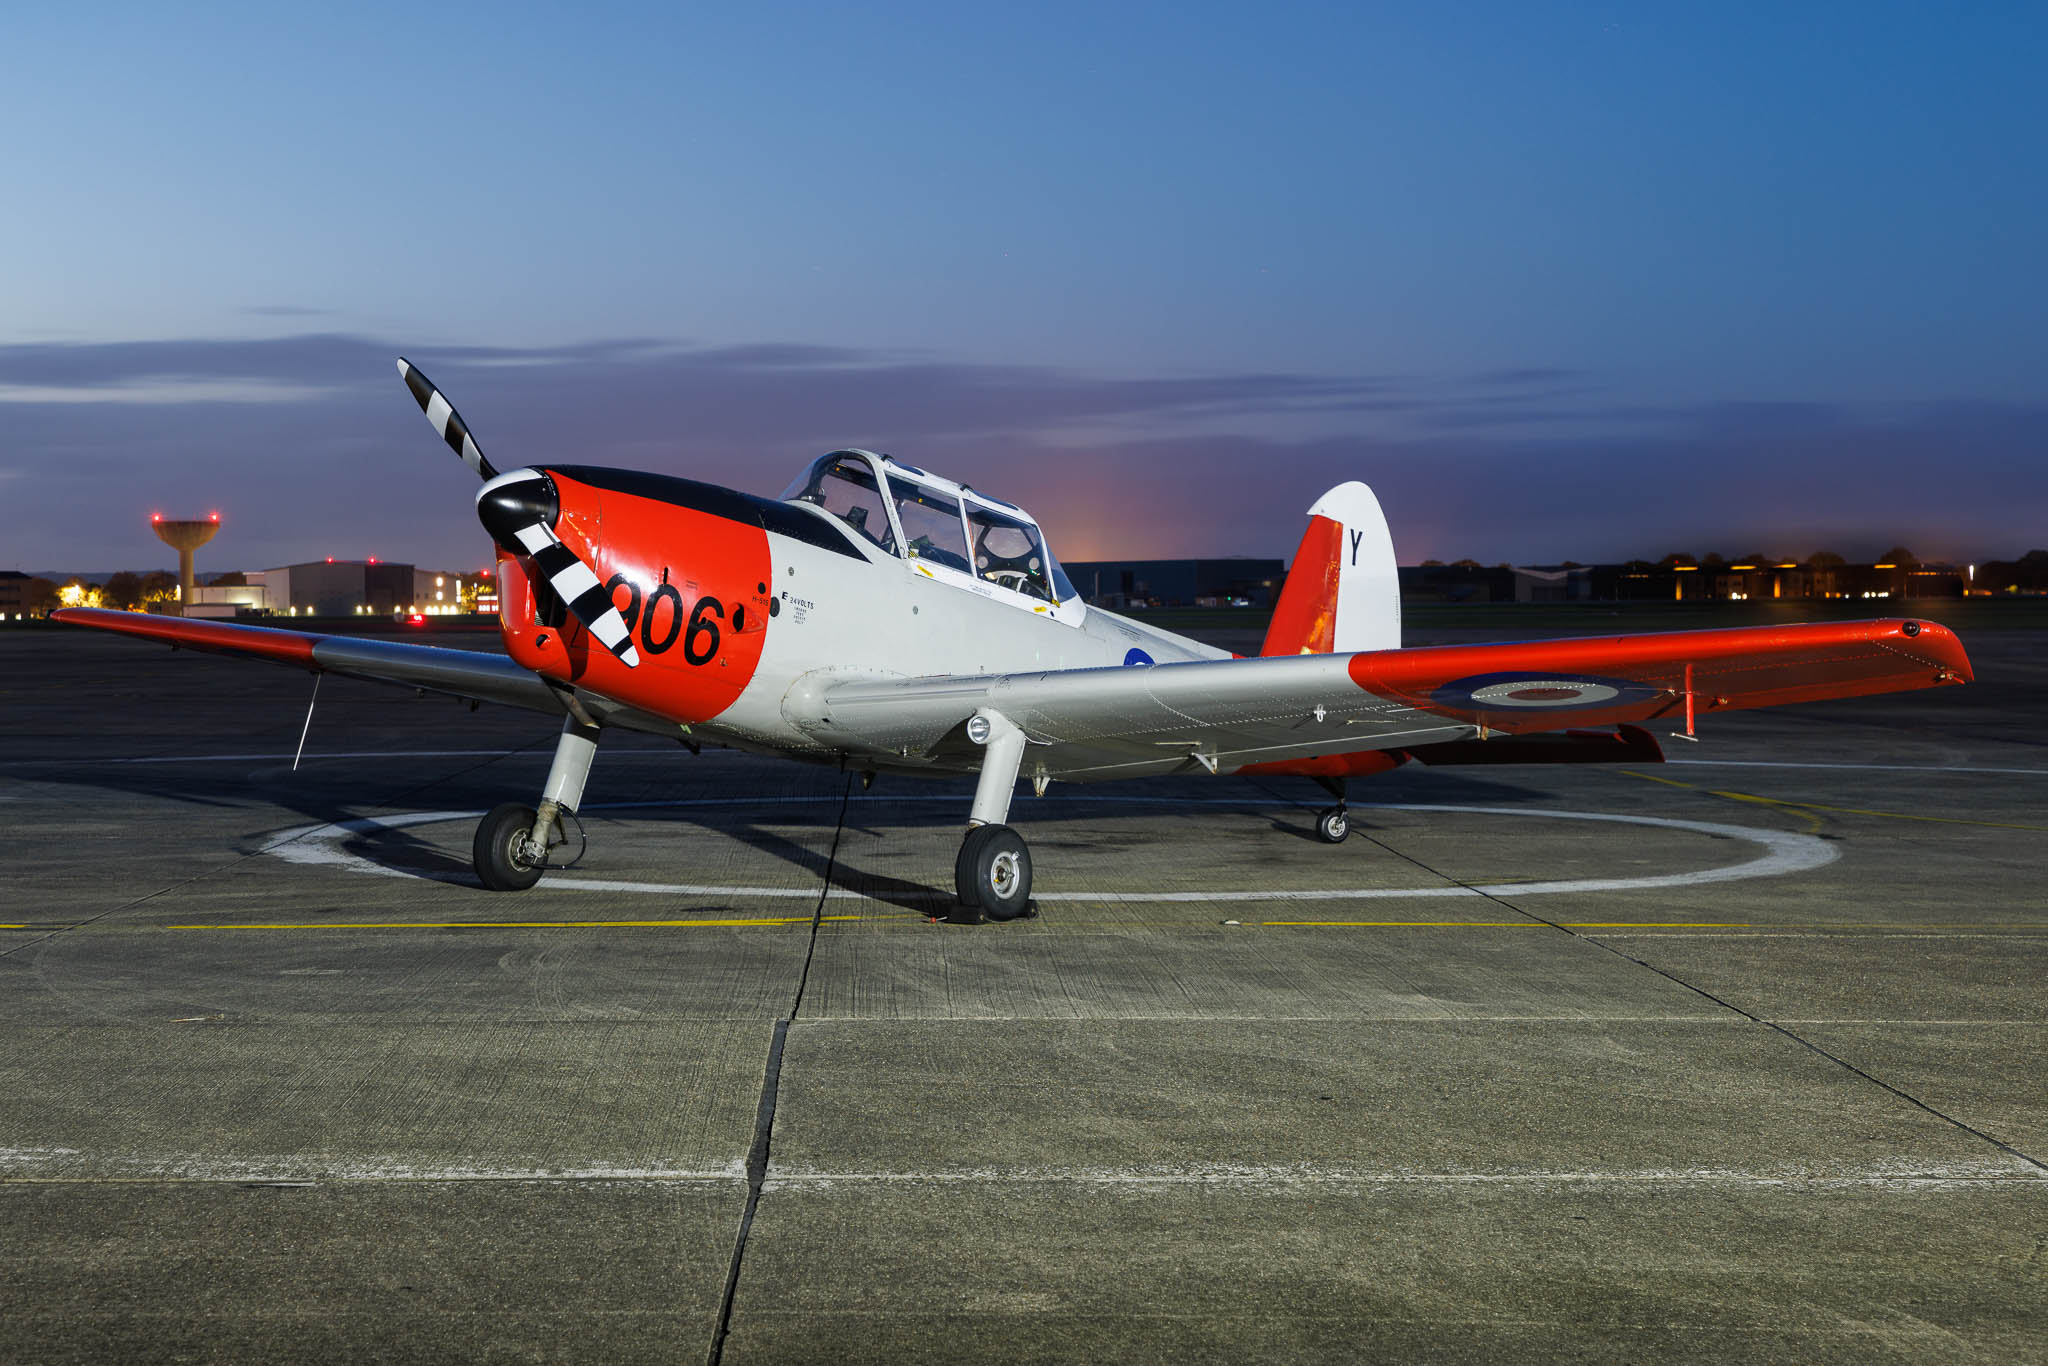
{"x":1342,"y":593}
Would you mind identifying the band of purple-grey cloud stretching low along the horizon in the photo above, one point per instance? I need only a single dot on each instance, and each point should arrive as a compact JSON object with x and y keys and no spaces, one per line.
{"x":312,"y":447}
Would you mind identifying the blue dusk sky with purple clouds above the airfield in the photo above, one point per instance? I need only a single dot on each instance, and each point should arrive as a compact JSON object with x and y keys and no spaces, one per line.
{"x":1555,"y":280}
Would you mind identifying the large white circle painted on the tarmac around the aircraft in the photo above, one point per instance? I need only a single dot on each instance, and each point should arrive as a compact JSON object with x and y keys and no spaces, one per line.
{"x":1779,"y":853}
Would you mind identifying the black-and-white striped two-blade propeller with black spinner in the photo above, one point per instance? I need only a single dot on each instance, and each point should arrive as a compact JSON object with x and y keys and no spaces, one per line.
{"x":521,"y":511}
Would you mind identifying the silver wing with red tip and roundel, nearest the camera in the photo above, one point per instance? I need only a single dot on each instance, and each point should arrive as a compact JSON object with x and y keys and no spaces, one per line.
{"x":1232,"y":714}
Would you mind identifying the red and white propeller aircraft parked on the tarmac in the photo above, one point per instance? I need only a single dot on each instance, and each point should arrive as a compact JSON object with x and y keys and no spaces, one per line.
{"x":886,"y":620}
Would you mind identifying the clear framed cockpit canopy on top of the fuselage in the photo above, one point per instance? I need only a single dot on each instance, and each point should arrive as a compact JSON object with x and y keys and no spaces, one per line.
{"x":902,"y":511}
